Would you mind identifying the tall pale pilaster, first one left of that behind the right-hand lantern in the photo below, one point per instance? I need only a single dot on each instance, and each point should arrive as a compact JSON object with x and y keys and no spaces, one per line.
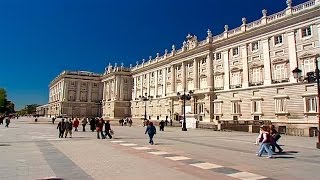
{"x":266,"y":60}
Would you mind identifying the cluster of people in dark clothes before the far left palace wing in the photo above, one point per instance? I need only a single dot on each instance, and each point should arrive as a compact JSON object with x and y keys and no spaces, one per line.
{"x":66,"y":127}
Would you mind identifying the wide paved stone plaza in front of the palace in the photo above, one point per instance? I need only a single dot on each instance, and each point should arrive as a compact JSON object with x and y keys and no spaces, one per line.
{"x":31,"y":150}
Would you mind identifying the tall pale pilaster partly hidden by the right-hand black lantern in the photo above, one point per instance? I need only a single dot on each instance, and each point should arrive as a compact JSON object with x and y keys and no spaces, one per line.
{"x":292,"y":55}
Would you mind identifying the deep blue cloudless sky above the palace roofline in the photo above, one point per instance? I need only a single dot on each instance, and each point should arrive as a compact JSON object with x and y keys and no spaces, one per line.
{"x":41,"y":38}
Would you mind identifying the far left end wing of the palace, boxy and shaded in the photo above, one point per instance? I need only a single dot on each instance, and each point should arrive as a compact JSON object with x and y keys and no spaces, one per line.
{"x":75,"y":94}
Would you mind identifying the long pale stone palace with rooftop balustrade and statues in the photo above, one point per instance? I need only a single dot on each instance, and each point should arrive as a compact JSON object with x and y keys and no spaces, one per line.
{"x":241,"y":74}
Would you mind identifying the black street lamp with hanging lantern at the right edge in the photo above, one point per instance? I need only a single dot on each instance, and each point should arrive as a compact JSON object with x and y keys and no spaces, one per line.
{"x":297,"y":74}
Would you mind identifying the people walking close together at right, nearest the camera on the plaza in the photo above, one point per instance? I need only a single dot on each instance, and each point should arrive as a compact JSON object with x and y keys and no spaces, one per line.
{"x":267,"y":139}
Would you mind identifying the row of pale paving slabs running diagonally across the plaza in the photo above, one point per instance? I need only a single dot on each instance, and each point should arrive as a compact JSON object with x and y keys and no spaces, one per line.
{"x":237,"y":174}
